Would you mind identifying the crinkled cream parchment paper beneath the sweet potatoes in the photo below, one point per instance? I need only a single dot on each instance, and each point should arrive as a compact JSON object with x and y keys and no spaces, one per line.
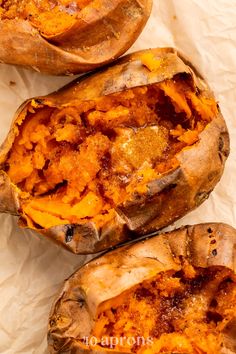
{"x":33,"y":269}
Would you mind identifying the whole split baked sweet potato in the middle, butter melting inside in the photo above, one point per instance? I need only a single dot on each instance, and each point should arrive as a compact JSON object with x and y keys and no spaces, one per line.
{"x":118,"y":154}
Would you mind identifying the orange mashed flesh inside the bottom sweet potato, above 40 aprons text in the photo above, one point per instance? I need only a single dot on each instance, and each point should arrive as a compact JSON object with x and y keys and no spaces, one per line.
{"x":182,"y":312}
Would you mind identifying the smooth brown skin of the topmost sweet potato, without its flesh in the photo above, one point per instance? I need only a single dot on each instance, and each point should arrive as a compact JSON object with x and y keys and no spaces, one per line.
{"x":104,"y":31}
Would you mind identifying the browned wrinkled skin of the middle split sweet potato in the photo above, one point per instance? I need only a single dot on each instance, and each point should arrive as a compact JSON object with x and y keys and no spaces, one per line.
{"x":170,"y":197}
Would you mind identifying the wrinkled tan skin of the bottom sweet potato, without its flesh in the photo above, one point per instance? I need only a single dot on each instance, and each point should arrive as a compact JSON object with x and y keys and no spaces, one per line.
{"x":108,"y":276}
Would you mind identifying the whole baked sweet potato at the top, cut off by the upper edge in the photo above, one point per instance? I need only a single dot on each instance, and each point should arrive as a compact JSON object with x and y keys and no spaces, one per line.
{"x":68,"y":37}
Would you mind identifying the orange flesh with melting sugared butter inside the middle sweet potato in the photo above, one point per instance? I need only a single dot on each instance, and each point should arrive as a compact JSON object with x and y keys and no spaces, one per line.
{"x":77,"y":163}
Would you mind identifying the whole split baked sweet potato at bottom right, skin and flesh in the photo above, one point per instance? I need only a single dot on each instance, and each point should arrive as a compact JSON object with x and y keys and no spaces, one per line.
{"x":173,"y":293}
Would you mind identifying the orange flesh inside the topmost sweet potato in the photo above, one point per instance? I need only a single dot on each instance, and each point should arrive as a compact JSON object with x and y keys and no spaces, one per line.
{"x":51,"y":17}
